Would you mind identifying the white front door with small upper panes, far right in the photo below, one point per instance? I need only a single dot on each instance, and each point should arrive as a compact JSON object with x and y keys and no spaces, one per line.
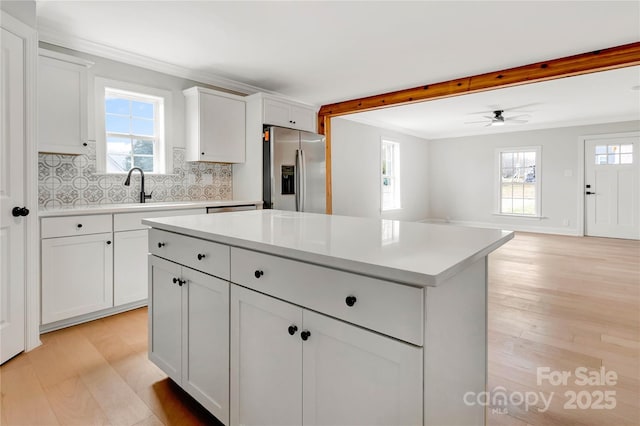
{"x":612,"y":187}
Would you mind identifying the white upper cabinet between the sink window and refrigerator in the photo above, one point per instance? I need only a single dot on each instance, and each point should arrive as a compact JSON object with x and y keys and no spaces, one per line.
{"x":215,"y":126}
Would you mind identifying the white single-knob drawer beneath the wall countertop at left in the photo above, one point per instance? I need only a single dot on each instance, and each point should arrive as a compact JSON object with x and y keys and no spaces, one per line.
{"x":68,"y":226}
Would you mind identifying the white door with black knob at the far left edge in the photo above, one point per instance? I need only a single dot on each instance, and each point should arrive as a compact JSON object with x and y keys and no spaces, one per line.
{"x":12,"y":194}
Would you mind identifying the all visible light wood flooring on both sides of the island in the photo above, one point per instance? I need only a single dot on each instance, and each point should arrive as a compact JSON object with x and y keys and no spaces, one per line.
{"x":554,"y":301}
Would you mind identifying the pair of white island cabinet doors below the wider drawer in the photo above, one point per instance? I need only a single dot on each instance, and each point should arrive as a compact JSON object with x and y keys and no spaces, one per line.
{"x":292,"y":366}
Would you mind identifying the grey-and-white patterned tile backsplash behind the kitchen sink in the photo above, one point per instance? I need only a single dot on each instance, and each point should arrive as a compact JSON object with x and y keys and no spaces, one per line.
{"x":71,"y":180}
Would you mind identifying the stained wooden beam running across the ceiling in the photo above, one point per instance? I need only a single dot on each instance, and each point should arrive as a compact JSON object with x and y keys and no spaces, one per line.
{"x":600,"y":60}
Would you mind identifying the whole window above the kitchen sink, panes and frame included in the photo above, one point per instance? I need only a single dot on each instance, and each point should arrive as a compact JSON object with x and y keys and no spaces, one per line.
{"x":131,"y":127}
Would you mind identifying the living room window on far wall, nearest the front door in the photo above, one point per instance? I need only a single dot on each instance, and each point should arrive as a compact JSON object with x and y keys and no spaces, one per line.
{"x":519,"y":181}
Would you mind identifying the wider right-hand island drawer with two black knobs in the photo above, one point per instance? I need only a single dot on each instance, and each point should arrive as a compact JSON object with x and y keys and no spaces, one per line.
{"x":389,"y":308}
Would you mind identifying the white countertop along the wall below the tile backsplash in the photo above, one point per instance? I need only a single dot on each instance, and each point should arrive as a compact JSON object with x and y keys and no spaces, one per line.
{"x":137,"y":207}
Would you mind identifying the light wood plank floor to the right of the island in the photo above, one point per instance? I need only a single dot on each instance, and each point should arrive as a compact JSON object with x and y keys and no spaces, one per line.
{"x":563,"y":303}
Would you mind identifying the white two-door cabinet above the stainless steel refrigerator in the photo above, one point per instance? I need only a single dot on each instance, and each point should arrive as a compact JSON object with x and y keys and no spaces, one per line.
{"x":289,"y":114}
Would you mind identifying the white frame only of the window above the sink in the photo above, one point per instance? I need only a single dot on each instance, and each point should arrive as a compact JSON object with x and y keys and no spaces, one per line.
{"x":163,"y":158}
